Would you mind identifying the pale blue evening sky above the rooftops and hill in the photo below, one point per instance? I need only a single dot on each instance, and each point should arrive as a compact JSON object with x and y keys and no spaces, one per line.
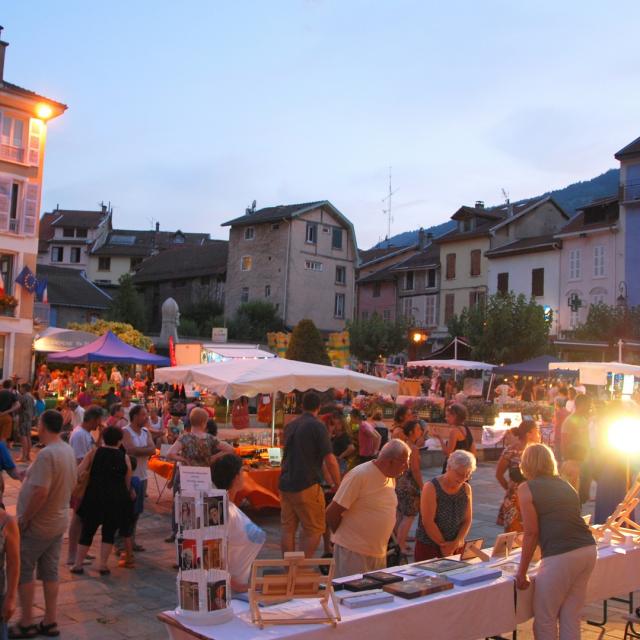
{"x":183,"y":113}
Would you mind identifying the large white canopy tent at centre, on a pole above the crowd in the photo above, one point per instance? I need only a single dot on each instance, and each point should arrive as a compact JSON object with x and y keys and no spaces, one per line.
{"x":238,"y":378}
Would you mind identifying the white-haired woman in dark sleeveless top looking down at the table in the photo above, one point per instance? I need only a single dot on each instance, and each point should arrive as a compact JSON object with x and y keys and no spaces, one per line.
{"x":446,"y":509}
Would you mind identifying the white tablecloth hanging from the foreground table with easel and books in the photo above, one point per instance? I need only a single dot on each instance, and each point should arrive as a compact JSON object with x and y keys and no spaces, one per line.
{"x":462,"y":613}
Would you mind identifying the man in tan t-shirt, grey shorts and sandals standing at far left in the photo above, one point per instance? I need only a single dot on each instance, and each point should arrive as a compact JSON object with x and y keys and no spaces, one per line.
{"x":42,"y":517}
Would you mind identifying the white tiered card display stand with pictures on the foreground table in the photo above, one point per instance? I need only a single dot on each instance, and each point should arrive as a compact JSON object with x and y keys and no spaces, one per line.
{"x":201,"y":543}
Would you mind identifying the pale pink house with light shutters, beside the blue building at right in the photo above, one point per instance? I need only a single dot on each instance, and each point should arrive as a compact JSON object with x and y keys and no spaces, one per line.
{"x":591,"y":261}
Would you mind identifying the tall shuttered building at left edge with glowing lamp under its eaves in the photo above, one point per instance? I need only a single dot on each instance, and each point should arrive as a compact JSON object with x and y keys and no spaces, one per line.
{"x":23,"y":130}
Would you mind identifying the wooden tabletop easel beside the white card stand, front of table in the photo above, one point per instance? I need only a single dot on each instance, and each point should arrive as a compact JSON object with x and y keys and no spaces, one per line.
{"x":301,"y":578}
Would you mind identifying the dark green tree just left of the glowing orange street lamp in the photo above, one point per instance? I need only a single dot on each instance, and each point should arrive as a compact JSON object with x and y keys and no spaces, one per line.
{"x":374,"y":338}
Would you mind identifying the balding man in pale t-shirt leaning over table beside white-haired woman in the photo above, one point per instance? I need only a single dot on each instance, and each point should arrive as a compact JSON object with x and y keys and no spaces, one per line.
{"x":363,"y":512}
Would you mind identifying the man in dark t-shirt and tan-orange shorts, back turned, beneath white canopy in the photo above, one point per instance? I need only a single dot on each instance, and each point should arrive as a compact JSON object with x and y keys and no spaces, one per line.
{"x":306,"y":448}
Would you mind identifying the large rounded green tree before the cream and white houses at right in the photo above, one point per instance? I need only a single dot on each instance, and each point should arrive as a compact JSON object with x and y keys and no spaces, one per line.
{"x":508,"y":329}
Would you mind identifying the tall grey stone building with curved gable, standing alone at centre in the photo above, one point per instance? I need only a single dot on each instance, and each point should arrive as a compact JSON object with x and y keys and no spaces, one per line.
{"x":300,"y":257}
